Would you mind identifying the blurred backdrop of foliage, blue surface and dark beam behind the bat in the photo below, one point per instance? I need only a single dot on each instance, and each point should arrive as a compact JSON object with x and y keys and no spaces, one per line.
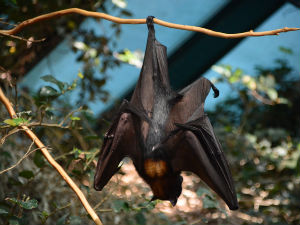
{"x":68,"y":87}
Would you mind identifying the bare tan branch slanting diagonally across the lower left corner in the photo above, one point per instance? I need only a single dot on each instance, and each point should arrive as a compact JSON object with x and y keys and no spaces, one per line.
{"x":50,"y":159}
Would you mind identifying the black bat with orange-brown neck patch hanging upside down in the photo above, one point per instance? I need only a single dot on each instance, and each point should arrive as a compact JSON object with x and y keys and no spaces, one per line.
{"x":165,"y":132}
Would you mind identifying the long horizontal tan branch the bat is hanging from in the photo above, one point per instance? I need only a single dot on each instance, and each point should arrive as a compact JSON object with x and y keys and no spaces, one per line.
{"x":114,"y":19}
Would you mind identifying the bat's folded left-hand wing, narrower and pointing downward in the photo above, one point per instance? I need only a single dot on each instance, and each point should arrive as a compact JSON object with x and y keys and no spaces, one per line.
{"x":120,"y":141}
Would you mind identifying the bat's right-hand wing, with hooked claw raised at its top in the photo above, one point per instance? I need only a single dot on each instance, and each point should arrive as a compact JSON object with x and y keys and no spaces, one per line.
{"x":195,"y":146}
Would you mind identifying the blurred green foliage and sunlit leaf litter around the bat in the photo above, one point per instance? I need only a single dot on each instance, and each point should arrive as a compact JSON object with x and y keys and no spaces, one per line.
{"x":257,"y":126}
